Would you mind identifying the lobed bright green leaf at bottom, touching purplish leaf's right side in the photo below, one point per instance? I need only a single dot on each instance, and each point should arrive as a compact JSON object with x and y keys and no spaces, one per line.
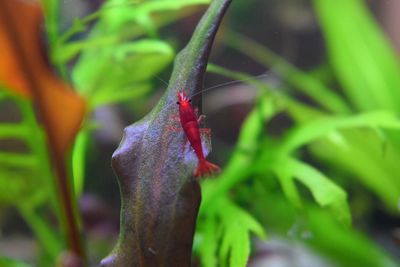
{"x":226,"y":229}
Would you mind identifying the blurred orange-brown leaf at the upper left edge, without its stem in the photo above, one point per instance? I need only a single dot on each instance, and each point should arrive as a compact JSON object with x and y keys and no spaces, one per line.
{"x":25,"y":71}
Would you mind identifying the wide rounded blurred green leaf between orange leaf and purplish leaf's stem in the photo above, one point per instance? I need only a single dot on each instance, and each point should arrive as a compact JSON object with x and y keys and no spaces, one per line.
{"x":131,"y":64}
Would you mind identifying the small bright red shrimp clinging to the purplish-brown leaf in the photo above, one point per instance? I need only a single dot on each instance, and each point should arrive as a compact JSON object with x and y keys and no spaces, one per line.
{"x":190,"y":126}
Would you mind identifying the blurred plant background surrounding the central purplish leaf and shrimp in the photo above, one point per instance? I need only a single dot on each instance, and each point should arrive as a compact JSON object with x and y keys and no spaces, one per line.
{"x":303,"y":106}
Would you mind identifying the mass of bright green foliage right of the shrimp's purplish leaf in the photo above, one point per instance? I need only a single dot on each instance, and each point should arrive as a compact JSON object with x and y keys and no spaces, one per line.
{"x":352,"y":131}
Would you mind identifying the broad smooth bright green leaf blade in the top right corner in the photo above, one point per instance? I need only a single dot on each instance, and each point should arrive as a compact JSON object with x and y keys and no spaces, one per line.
{"x":362,"y":57}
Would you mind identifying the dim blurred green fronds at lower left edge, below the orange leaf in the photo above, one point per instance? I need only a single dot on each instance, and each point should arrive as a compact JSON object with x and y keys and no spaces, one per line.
{"x":23,"y":173}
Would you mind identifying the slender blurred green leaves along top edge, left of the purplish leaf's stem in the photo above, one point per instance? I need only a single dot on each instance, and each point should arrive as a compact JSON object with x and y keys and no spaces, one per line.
{"x":119,"y":22}
